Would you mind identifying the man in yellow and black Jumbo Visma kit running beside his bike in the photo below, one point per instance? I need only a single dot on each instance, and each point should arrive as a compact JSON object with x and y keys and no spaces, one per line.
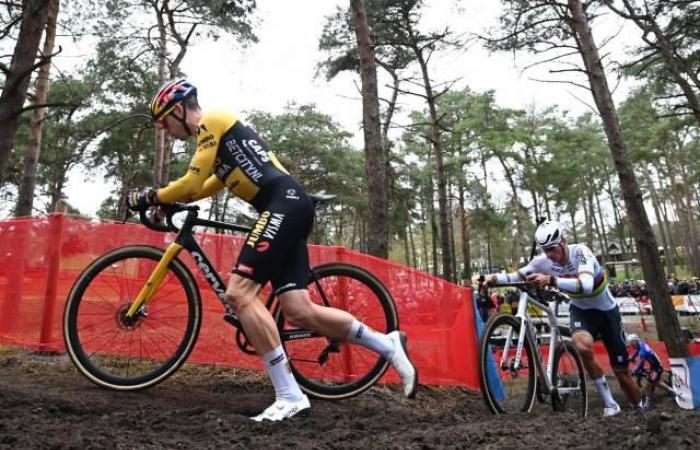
{"x":231,"y":155}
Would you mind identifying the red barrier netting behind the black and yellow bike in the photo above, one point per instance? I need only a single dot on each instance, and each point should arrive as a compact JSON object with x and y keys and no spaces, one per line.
{"x":41,"y":258}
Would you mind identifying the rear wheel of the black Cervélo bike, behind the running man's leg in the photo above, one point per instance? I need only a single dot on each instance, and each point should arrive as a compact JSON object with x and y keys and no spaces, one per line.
{"x":349,"y":369}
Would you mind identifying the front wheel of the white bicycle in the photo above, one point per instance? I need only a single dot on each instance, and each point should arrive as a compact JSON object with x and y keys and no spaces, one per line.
{"x":506,"y":389}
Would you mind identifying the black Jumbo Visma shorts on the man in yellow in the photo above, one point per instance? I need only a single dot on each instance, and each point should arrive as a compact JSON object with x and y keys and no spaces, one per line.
{"x":275,"y":249}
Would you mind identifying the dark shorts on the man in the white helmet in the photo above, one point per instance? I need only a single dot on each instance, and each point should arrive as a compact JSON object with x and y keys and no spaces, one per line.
{"x":605,"y":325}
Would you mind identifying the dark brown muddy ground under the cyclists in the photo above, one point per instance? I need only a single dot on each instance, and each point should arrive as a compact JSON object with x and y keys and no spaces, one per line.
{"x":46,"y":404}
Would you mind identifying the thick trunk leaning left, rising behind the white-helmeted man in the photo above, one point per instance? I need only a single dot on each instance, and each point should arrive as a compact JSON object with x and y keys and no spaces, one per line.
{"x":666,"y":319}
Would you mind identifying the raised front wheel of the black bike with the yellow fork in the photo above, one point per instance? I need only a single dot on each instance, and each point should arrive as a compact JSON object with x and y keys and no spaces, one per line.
{"x":99,"y":341}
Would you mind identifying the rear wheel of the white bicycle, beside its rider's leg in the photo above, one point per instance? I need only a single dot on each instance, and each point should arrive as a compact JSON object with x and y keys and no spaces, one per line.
{"x":572,"y":402}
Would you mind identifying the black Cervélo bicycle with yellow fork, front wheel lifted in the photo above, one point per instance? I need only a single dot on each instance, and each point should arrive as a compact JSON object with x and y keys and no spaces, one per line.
{"x":133,"y":315}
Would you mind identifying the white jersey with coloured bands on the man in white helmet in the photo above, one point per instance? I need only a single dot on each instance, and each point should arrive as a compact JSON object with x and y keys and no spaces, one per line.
{"x":581,"y":260}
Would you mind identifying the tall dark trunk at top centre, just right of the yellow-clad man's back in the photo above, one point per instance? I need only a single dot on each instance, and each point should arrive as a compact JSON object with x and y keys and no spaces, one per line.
{"x":376,"y":162}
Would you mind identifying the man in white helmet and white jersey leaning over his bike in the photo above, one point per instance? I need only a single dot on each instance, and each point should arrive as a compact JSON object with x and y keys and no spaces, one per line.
{"x":573,"y":269}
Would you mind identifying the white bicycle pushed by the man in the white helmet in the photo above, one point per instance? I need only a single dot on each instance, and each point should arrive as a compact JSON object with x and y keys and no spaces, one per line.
{"x":511,"y":379}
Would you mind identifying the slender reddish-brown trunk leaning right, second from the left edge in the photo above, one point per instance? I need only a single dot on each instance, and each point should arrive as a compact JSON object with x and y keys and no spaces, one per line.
{"x":25,"y":200}
